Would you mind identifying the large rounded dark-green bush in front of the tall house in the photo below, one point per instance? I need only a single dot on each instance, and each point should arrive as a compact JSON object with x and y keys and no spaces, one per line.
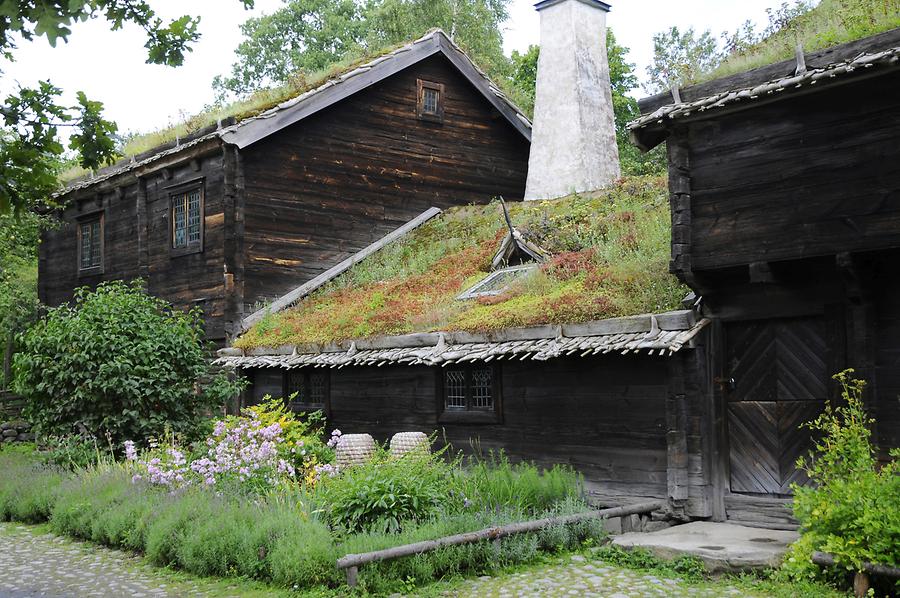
{"x":120,"y":362}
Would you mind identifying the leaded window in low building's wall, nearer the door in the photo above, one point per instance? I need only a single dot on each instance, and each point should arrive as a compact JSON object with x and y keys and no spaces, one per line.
{"x":470,"y":393}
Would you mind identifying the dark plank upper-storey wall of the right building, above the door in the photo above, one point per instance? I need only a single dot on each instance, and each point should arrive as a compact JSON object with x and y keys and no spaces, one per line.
{"x":814,"y":175}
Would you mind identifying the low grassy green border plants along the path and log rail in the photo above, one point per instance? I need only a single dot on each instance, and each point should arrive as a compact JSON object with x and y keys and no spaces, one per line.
{"x":284,"y":539}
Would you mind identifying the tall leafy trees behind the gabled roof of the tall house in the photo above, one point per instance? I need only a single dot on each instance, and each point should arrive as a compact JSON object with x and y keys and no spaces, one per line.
{"x":309,"y":35}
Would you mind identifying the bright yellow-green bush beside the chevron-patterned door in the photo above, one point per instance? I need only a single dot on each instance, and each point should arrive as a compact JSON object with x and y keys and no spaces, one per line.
{"x":851,"y":510}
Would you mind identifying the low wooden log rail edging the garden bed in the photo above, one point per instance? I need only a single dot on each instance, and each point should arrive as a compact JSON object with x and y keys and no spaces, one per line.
{"x":352,"y":562}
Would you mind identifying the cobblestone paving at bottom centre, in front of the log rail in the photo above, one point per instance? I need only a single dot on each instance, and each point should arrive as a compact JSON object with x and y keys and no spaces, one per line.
{"x":584,"y":577}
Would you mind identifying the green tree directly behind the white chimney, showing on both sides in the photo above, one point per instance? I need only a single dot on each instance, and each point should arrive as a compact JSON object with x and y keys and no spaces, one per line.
{"x":622,"y":80}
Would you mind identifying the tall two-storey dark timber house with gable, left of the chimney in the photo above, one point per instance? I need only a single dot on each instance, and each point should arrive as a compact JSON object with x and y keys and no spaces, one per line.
{"x":237,"y":214}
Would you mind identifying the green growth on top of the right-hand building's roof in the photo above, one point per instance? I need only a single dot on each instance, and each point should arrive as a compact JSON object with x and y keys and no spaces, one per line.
{"x":831,"y":23}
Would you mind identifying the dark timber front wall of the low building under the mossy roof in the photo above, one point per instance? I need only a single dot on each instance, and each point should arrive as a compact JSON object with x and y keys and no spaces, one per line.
{"x":614,"y":418}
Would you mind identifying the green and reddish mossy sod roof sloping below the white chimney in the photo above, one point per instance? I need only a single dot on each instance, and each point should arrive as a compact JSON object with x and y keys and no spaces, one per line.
{"x":610,"y":258}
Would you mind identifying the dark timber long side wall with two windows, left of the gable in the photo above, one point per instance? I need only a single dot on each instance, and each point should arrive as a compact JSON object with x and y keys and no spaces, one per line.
{"x":137,"y":242}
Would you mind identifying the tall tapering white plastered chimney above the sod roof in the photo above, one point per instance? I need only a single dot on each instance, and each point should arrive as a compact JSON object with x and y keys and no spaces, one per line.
{"x":573,"y":141}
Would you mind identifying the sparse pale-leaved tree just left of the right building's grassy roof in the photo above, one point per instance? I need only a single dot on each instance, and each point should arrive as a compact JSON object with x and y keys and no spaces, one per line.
{"x":680,"y":58}
